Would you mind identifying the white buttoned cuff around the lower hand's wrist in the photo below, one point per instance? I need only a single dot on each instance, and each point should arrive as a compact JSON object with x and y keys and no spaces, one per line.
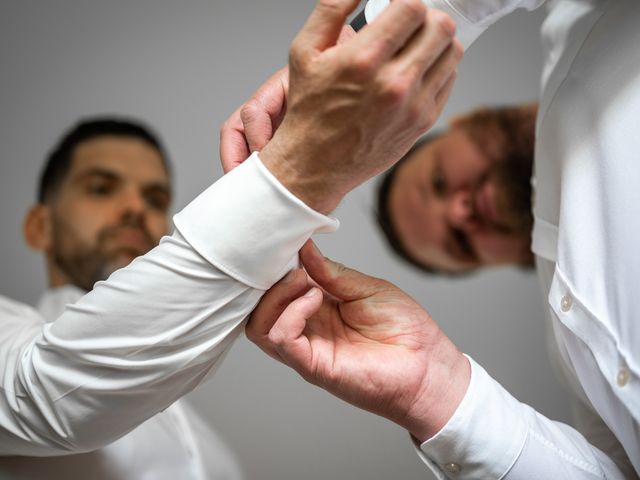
{"x":483,"y":438}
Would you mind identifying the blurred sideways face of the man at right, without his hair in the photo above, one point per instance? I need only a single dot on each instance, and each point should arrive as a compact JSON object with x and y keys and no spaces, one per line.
{"x":454,"y":209}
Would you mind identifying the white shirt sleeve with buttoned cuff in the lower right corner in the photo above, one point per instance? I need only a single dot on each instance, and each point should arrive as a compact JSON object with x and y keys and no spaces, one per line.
{"x":494,"y":436}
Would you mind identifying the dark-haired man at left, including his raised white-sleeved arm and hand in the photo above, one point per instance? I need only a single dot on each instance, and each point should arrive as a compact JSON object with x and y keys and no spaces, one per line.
{"x":159,"y":326}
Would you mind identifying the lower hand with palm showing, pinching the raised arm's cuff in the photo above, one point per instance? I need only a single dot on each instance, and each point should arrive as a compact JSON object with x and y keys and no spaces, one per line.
{"x":363,"y":340}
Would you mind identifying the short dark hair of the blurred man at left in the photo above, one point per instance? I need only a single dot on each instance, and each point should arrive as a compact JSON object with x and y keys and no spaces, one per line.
{"x":58,"y":162}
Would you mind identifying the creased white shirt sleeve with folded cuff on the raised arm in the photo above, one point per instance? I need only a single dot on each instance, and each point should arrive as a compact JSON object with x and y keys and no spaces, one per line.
{"x":150,"y":333}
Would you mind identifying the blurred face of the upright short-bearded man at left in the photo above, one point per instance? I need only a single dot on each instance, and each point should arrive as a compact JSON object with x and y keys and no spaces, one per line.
{"x":111,"y":207}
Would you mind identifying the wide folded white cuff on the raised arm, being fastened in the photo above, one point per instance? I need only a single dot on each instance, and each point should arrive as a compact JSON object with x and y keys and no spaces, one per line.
{"x":250,"y":226}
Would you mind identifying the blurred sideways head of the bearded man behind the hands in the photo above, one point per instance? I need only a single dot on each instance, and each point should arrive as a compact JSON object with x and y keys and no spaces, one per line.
{"x":461,"y":198}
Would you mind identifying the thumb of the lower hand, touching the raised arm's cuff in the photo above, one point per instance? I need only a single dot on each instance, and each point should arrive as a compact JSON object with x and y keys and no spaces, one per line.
{"x":336,"y":279}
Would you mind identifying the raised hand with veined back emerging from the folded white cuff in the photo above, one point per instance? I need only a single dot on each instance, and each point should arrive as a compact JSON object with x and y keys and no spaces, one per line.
{"x":354,"y":109}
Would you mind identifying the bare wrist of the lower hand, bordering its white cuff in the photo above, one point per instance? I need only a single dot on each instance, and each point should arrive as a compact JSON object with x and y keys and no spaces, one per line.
{"x":446,"y":384}
